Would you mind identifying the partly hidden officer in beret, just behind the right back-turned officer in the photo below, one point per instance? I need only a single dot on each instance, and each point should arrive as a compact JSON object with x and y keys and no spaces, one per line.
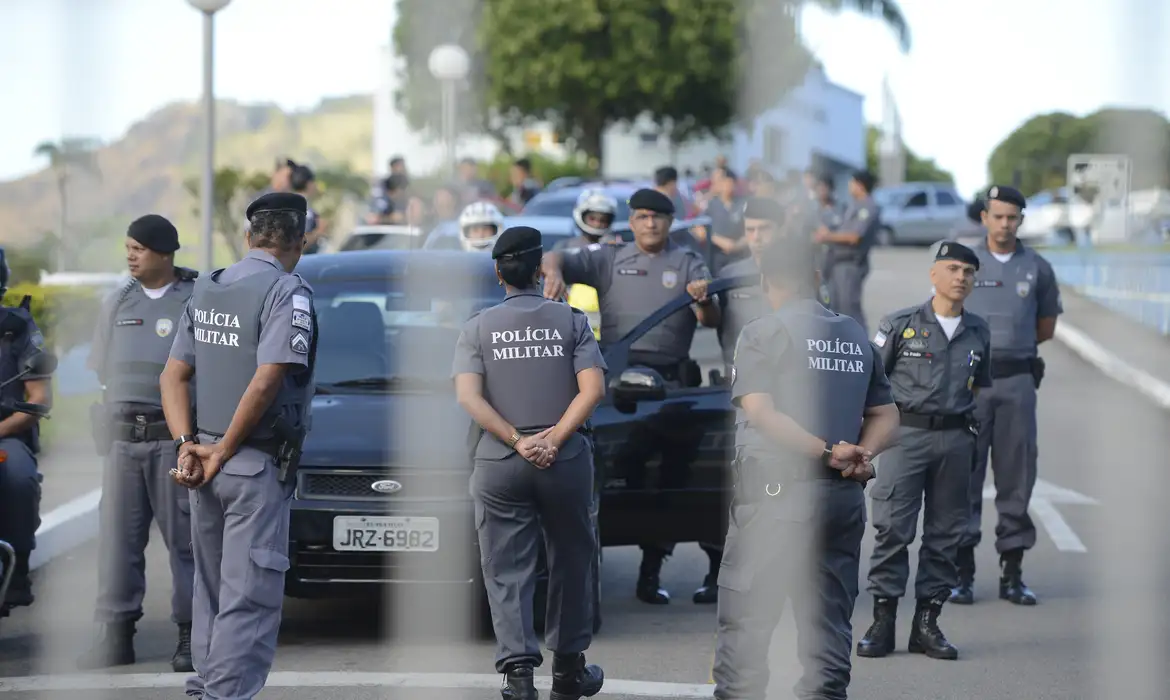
{"x":762,"y":221}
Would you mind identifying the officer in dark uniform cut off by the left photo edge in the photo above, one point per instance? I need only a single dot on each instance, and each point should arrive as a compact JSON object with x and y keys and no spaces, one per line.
{"x":20,"y":482}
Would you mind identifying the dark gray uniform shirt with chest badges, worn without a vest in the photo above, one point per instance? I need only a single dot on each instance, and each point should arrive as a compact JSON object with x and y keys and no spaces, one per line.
{"x":928,"y":373}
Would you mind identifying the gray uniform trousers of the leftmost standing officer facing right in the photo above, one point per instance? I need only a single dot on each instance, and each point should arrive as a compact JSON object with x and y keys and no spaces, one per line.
{"x":137,"y":489}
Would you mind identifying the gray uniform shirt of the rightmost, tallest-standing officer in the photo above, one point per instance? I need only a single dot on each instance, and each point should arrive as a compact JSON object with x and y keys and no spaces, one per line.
{"x":1013,"y":297}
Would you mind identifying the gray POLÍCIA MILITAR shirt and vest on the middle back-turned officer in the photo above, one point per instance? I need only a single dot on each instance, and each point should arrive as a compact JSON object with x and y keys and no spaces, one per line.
{"x":539,"y":368}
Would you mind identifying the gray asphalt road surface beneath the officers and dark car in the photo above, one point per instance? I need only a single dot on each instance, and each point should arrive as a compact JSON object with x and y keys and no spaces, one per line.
{"x":1100,"y":630}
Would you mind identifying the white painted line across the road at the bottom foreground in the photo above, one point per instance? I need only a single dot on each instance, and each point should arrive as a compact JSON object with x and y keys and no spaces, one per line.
{"x":290,"y":680}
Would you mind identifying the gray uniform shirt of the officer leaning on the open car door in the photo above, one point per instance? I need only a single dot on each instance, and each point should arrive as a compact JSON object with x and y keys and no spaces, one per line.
{"x":631,"y":285}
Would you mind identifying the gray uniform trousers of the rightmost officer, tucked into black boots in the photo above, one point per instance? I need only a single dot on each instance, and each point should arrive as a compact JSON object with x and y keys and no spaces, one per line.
{"x":1007,"y":416}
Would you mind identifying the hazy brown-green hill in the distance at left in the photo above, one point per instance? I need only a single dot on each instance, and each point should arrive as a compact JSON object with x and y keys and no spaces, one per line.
{"x":143,"y":173}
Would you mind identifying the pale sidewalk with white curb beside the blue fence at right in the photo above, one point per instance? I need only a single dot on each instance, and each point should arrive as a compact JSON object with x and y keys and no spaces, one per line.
{"x":1124,"y":349}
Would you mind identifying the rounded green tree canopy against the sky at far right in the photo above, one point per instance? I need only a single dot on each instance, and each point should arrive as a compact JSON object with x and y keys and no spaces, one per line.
{"x":1035,"y":157}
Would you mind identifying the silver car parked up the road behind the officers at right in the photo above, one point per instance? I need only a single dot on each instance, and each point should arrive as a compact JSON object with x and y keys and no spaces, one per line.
{"x":919,"y":214}
